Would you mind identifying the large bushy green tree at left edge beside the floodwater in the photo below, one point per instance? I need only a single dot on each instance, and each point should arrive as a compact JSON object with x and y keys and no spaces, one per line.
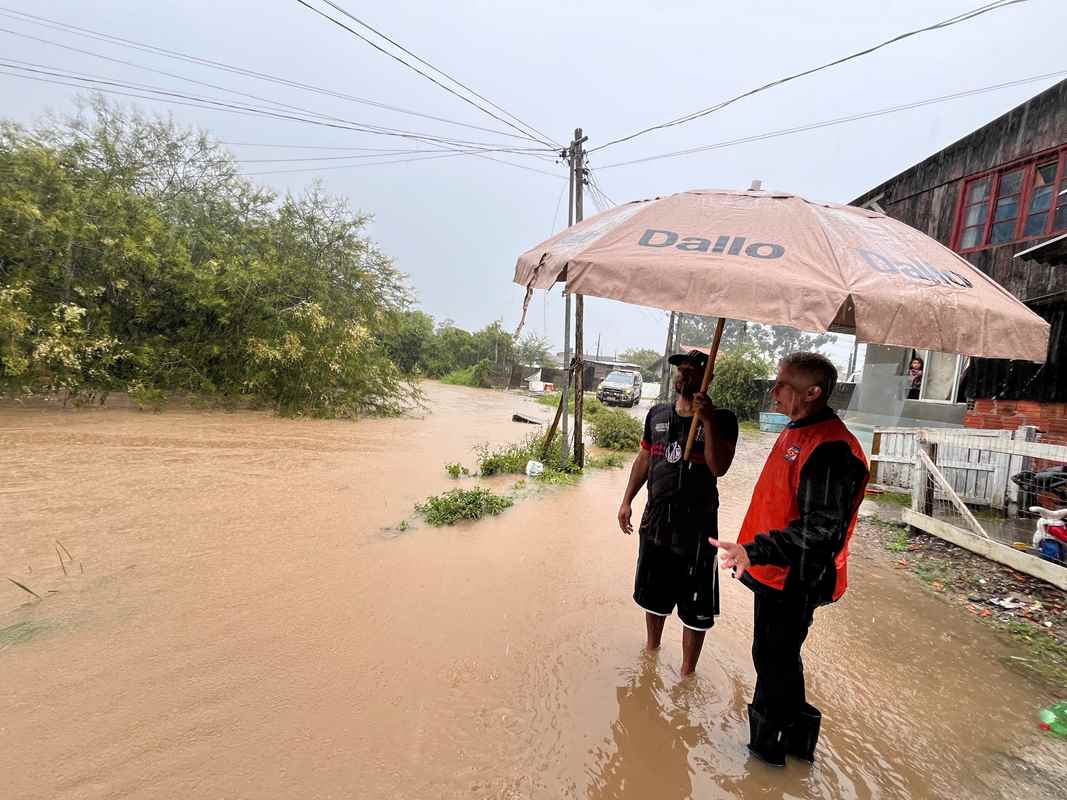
{"x":133,"y":255}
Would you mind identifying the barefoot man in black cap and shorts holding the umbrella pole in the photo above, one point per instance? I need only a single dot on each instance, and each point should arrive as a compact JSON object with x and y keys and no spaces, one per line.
{"x":676,"y":565}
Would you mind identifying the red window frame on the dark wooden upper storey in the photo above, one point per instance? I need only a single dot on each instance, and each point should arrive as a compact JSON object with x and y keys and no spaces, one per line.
{"x":1029,"y":166}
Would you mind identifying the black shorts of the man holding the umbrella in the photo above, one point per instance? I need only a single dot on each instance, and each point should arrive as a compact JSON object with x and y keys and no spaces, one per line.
{"x":666,"y":579}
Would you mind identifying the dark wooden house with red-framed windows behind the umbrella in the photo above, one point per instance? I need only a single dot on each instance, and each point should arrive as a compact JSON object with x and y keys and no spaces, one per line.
{"x":996,"y":197}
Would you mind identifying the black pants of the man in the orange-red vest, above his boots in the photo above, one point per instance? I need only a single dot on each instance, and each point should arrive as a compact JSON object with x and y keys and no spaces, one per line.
{"x":779,"y":630}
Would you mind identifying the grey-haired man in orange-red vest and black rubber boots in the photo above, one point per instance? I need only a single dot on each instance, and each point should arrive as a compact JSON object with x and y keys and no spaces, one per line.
{"x":793,"y":550}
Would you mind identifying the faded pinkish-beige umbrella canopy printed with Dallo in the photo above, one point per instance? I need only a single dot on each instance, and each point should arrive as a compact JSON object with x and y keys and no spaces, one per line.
{"x":781,"y":260}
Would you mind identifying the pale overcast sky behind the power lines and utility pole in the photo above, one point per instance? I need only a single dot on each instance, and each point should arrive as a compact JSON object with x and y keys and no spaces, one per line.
{"x":456,"y":226}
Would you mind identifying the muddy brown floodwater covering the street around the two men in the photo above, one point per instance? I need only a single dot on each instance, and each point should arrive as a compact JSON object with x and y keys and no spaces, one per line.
{"x":236,"y":622}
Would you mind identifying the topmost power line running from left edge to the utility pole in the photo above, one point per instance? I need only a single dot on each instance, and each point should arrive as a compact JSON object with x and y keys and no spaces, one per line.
{"x":176,"y":55}
